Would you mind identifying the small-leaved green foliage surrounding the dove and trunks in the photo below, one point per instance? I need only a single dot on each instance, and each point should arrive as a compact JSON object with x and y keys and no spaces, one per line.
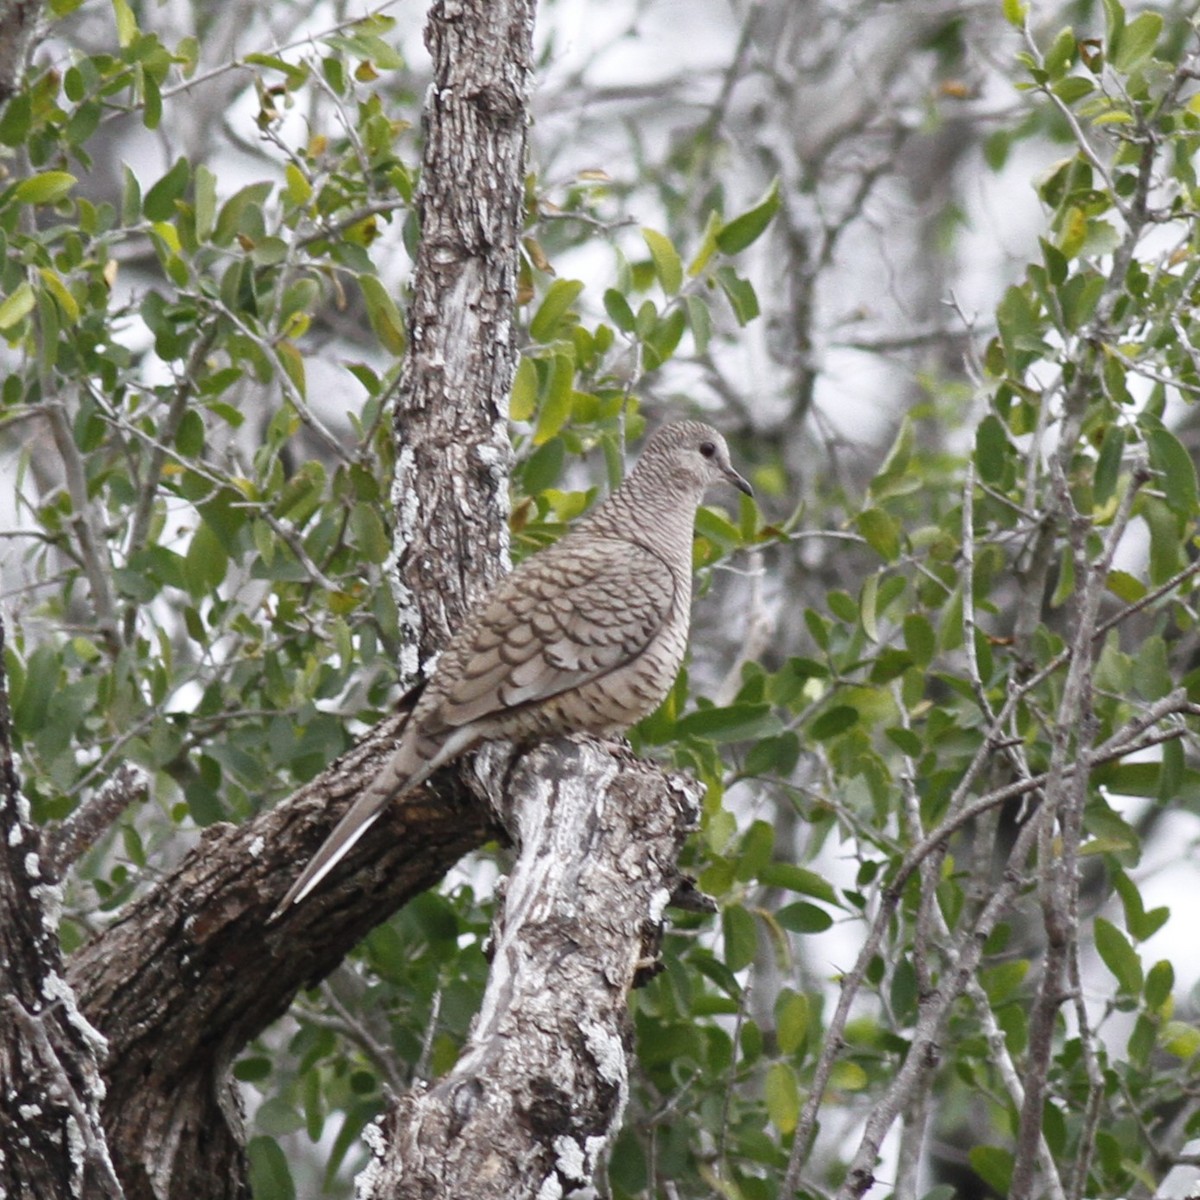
{"x":951,"y":765}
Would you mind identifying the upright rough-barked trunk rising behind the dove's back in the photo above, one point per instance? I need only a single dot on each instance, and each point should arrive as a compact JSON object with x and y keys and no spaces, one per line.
{"x":453,"y":448}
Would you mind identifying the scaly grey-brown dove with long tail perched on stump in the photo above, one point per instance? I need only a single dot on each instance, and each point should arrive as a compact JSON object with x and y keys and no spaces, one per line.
{"x":586,"y":637}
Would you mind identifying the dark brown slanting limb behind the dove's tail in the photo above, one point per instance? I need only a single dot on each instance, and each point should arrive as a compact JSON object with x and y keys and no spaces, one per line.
{"x":191,"y":973}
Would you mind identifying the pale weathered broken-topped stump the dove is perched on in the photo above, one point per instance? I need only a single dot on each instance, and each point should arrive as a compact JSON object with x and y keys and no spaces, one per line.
{"x":542,"y":1085}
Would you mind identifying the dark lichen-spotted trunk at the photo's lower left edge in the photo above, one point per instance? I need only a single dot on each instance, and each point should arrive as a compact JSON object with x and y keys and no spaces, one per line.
{"x":52,"y":1141}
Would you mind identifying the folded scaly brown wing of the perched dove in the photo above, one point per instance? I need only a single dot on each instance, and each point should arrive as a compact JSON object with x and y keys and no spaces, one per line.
{"x":563,"y":619}
